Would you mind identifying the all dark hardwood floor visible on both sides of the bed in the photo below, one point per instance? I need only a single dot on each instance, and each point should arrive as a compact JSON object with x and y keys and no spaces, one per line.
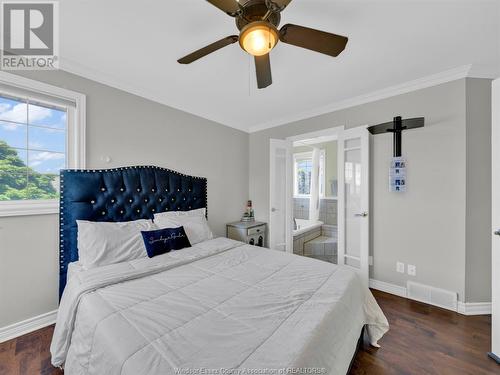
{"x":422,"y":340}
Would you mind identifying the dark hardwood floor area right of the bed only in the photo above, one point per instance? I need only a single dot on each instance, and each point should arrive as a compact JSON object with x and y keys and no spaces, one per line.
{"x":427,"y":340}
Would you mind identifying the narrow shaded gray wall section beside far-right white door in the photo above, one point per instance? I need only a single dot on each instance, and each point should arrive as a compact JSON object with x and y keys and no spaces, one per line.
{"x":478,"y":209}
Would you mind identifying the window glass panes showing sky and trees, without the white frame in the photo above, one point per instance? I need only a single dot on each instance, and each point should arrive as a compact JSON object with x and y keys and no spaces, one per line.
{"x":32,"y":149}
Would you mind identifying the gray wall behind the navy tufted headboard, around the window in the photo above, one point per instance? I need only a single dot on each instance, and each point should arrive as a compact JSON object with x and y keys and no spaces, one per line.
{"x":131,"y":130}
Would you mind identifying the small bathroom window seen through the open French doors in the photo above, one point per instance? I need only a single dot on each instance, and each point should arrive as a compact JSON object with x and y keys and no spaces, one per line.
{"x":303,"y":172}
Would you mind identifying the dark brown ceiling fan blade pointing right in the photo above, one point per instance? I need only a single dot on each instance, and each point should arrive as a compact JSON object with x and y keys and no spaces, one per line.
{"x":315,"y":40}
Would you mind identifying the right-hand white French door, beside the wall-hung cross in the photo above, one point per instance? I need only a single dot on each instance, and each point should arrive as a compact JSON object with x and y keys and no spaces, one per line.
{"x":353,"y":203}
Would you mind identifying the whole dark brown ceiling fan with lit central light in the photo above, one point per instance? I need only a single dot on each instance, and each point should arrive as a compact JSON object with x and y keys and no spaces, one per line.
{"x":257,"y":21}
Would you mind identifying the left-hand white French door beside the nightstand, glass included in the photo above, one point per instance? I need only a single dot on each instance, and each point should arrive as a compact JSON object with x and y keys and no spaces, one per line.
{"x":280,"y":204}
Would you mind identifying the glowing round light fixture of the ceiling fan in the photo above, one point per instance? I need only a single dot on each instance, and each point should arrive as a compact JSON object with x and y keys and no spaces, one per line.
{"x":258,"y":38}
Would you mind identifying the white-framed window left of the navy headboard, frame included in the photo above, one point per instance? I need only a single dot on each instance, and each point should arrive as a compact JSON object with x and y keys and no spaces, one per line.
{"x":39,"y":135}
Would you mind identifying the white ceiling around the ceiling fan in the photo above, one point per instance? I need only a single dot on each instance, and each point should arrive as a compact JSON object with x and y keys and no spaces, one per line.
{"x":134,"y":45}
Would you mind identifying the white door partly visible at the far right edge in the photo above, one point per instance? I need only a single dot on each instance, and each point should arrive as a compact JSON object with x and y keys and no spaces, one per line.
{"x":495,"y":256}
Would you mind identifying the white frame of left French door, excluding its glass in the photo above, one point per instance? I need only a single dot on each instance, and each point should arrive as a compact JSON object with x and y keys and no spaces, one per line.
{"x":287,"y":145}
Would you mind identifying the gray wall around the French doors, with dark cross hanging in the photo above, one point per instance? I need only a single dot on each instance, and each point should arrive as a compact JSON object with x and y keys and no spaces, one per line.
{"x":426,"y":226}
